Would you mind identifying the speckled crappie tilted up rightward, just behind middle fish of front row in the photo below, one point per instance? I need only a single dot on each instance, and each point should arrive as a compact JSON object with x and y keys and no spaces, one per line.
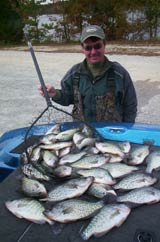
{"x":72,"y":188}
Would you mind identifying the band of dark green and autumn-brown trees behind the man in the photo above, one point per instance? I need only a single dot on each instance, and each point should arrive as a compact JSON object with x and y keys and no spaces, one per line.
{"x":136,"y":20}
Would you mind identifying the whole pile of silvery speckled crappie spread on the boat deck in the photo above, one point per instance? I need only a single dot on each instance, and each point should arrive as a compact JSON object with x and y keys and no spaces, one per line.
{"x":84,"y":177}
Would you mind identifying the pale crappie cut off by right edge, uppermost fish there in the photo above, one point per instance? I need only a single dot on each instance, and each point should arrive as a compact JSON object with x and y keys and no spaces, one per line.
{"x":153,"y":161}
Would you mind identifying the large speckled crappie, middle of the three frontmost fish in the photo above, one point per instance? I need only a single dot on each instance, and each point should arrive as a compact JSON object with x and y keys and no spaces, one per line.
{"x":73,"y":210}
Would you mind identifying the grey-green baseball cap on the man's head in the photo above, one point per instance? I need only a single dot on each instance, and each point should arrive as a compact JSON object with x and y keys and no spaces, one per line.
{"x":90,"y":31}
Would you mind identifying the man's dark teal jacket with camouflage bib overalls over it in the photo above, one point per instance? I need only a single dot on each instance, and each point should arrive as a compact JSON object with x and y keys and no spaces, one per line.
{"x":110,"y":96}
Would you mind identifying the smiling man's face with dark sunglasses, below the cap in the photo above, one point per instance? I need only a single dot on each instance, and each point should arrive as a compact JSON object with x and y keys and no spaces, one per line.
{"x":94,"y":50}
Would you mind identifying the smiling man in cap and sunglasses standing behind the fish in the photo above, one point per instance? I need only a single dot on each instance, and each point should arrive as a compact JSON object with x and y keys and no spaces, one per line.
{"x":100,"y":90}
